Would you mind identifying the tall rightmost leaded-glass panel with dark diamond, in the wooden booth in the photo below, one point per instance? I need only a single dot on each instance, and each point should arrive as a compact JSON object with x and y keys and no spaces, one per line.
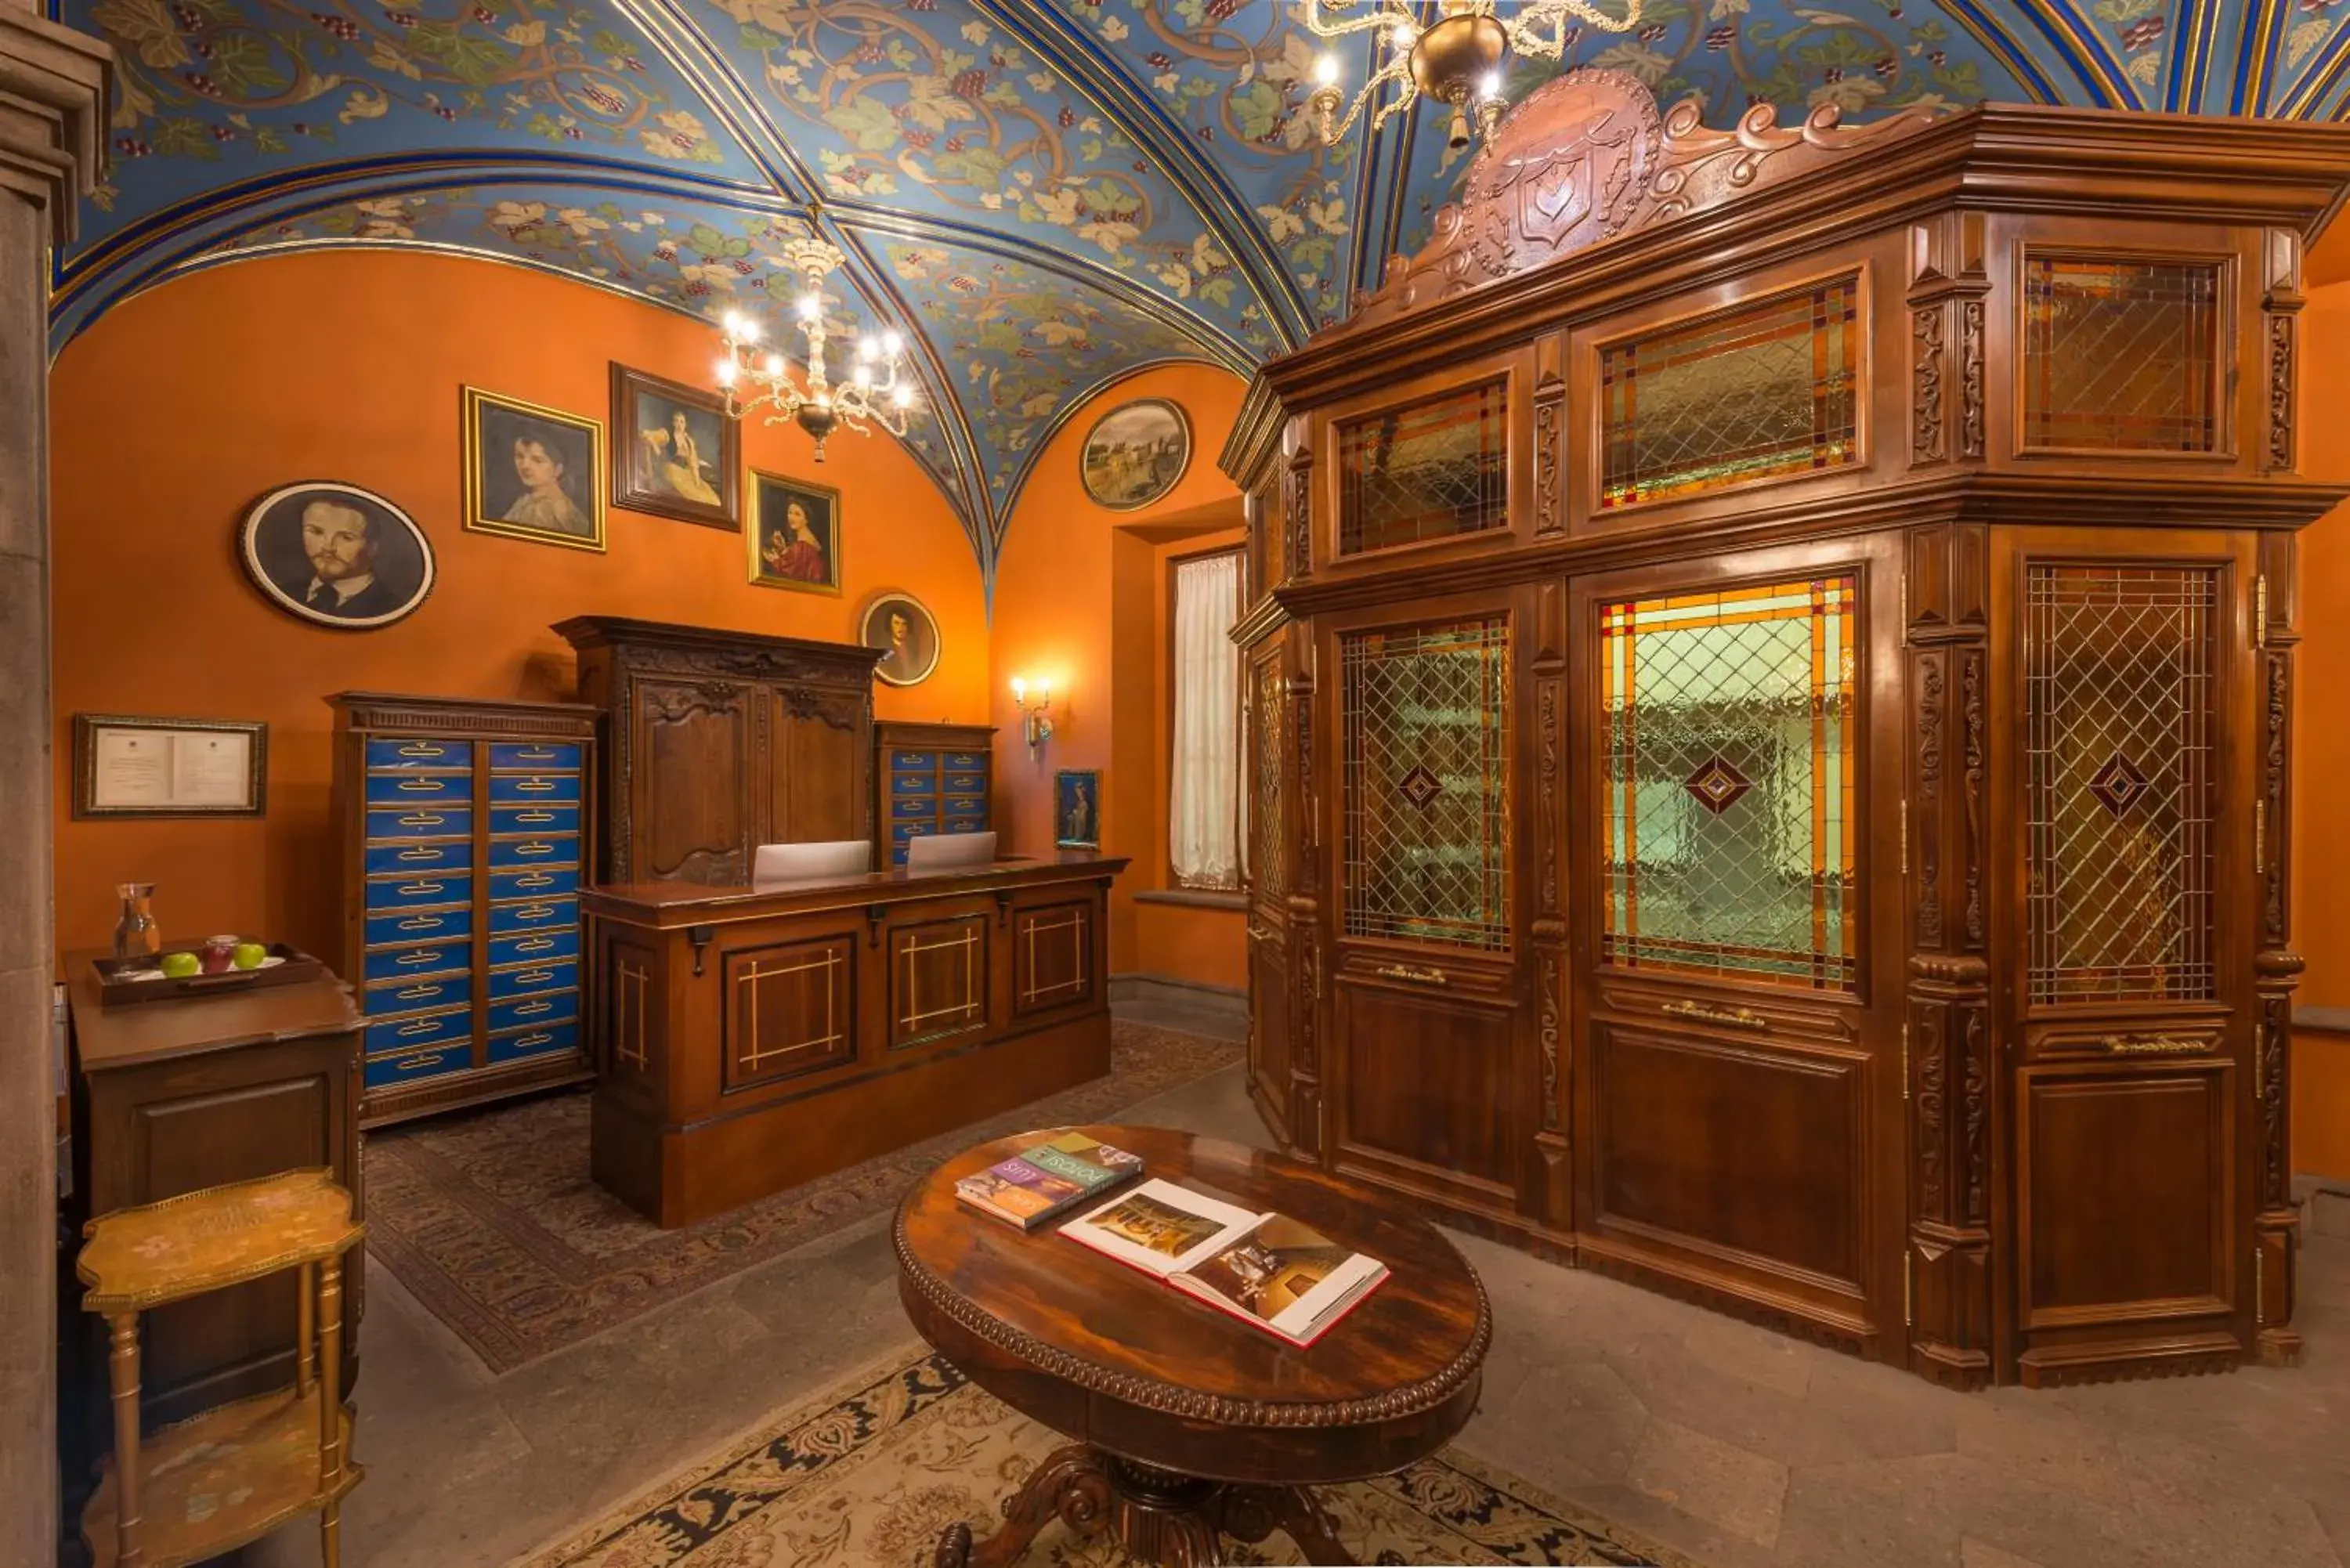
{"x":2119,"y":669}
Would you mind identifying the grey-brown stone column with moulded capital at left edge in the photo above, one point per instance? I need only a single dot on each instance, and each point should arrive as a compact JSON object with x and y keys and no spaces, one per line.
{"x":53,"y":142}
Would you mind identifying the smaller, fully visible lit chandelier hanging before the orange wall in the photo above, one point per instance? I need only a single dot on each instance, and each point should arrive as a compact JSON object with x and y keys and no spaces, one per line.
{"x":873,"y":396}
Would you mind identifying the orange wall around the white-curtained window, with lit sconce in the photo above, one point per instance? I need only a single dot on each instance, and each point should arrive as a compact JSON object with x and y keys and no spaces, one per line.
{"x":1080,"y":601}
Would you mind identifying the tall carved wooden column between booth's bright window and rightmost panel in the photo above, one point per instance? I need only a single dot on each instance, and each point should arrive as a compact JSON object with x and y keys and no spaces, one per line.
{"x":1947,"y":1031}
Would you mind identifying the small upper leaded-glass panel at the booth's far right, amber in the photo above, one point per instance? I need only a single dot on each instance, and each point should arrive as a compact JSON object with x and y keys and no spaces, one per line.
{"x":2119,"y":354}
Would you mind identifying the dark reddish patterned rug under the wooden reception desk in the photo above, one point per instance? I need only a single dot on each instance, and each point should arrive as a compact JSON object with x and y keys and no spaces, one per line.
{"x":497,"y":1228}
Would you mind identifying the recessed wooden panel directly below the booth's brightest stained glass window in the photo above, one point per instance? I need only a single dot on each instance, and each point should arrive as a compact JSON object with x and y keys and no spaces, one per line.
{"x":1743,"y":1151}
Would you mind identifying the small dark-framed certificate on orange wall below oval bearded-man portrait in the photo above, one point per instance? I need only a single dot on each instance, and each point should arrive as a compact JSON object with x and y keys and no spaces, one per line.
{"x":168,"y":768}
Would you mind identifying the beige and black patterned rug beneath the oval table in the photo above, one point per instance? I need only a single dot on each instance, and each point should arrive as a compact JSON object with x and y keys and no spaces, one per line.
{"x":875,"y":1470}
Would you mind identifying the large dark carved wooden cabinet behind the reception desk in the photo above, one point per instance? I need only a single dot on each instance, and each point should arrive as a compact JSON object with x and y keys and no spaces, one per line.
{"x":723,"y":742}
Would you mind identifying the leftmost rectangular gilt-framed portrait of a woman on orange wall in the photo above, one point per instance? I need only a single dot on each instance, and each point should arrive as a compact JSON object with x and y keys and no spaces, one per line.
{"x":532,"y":474}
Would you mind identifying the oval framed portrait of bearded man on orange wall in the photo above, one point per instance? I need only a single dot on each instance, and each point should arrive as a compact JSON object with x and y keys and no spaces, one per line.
{"x":337,"y":556}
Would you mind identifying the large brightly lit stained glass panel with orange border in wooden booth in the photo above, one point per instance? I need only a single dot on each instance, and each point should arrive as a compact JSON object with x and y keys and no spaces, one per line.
{"x":1731,"y":775}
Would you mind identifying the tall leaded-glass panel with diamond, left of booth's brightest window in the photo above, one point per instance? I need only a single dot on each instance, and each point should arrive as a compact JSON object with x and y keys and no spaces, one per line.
{"x":1425,"y":775}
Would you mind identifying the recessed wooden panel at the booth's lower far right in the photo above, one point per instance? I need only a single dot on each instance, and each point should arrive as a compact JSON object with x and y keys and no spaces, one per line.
{"x":2126,"y":1195}
